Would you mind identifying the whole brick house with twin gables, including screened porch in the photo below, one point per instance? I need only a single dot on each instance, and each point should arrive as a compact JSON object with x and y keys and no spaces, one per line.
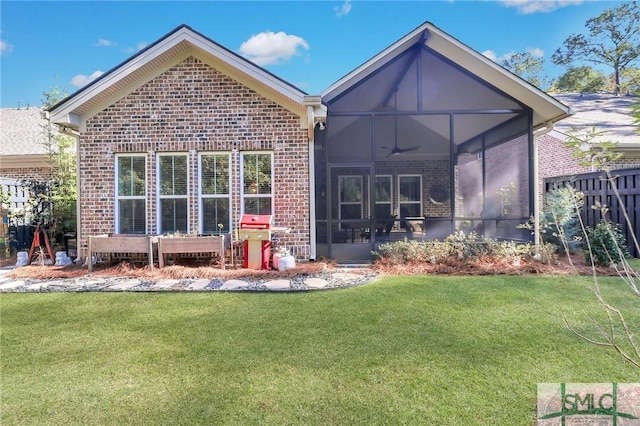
{"x":188,"y":136}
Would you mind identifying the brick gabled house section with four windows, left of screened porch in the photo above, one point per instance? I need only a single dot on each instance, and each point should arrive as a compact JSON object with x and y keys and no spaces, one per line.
{"x":189,"y":141}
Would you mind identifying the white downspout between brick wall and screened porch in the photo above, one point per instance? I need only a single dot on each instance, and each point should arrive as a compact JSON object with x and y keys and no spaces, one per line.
{"x":316,"y":113}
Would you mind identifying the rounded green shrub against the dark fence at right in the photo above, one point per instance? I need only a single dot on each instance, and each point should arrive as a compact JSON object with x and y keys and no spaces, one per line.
{"x":608,"y":244}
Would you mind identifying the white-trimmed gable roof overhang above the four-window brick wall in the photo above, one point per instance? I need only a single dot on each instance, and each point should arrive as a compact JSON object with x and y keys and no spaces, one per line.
{"x":174,"y":47}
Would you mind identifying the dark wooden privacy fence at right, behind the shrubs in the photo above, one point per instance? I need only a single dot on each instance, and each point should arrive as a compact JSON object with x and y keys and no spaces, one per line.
{"x":596,"y":189}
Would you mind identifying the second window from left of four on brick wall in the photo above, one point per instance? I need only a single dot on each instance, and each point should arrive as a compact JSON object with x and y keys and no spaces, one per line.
{"x":173,"y":193}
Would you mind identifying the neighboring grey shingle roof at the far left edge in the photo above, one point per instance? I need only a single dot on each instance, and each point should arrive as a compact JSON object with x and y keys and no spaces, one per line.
{"x":22,"y":131}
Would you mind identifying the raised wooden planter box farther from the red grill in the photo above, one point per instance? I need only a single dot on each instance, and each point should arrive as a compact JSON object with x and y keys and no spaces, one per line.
{"x":122,"y":243}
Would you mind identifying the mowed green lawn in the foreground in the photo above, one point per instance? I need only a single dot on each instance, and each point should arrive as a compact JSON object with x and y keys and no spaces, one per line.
{"x":402,"y":350}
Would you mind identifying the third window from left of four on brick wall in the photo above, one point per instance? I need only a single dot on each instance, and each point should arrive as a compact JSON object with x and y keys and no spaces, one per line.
{"x":215,"y":193}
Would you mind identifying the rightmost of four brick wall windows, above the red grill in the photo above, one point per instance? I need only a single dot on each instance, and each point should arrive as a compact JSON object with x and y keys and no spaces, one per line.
{"x":257,"y":182}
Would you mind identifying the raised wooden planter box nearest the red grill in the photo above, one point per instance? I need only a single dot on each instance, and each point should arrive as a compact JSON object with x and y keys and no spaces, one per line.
{"x":194,"y":244}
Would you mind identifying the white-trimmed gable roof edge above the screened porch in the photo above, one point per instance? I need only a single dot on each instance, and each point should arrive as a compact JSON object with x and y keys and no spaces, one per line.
{"x":545,"y":108}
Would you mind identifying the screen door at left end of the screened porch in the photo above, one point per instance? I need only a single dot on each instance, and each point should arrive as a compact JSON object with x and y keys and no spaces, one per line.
{"x":350,"y":213}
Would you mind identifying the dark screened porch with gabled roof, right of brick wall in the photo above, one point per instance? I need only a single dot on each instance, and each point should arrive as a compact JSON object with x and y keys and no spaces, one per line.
{"x":427,"y":138}
